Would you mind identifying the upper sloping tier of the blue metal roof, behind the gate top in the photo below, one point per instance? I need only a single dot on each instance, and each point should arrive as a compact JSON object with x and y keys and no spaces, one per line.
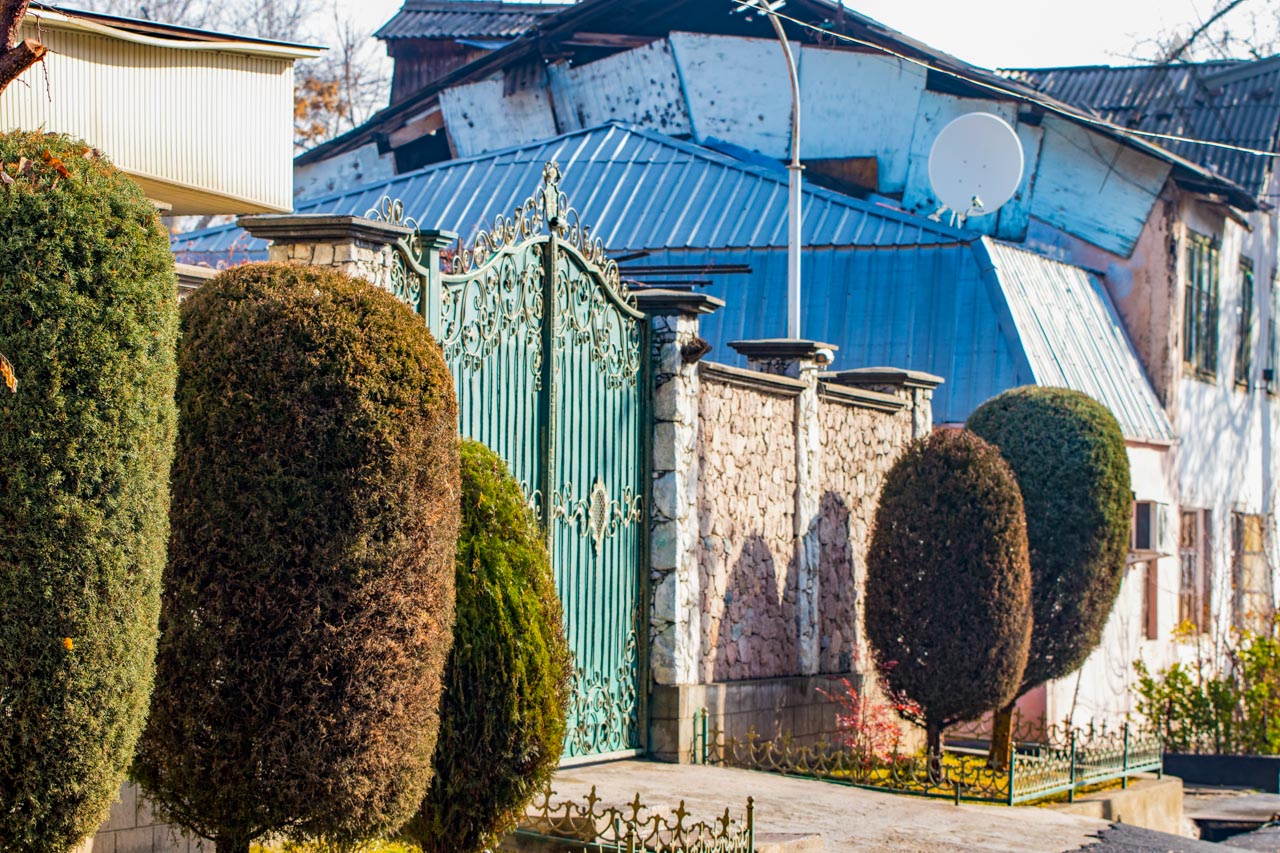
{"x":637,"y":189}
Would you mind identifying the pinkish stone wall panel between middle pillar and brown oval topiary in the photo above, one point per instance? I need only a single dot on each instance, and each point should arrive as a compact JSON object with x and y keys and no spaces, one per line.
{"x":858,"y":449}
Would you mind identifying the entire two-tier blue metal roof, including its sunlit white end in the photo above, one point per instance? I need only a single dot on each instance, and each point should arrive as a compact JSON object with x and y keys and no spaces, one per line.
{"x":886,"y":288}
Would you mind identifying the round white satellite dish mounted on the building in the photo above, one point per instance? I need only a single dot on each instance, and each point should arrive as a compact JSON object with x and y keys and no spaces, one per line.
{"x":976,"y":165}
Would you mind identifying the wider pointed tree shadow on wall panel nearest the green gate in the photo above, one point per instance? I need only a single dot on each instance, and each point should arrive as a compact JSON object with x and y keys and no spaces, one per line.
{"x":758,"y":630}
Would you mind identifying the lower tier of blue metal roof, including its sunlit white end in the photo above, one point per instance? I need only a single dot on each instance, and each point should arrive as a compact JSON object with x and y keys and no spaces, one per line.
{"x":982,"y":316}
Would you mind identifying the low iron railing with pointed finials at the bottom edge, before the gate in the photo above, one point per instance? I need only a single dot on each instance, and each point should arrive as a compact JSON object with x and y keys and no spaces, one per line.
{"x":591,"y":827}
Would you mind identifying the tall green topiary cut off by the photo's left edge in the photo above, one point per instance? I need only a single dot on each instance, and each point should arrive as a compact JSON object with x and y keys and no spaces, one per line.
{"x":89,"y":316}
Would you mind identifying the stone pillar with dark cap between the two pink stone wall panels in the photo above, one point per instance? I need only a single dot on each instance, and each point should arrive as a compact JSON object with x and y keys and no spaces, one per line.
{"x":802,"y":361}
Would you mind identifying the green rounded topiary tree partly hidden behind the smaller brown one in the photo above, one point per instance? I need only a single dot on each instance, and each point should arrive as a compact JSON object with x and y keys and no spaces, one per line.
{"x":1069,"y":457}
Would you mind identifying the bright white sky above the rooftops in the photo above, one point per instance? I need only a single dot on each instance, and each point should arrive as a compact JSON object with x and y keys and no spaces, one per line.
{"x":993,"y":34}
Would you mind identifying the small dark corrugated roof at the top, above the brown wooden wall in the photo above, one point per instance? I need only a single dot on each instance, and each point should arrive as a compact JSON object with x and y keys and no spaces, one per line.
{"x":464,"y":20}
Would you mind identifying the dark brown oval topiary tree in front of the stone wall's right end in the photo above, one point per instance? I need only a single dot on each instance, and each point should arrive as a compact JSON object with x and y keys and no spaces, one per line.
{"x":948,"y":585}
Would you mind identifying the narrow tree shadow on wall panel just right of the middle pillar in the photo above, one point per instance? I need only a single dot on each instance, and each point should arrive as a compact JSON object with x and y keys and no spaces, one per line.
{"x":838,"y":587}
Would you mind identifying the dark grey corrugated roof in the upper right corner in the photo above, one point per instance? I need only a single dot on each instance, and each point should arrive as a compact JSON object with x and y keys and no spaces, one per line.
{"x":1222,"y":102}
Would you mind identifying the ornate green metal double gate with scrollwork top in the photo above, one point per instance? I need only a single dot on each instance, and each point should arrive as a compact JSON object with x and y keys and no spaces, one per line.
{"x":547,"y":350}
